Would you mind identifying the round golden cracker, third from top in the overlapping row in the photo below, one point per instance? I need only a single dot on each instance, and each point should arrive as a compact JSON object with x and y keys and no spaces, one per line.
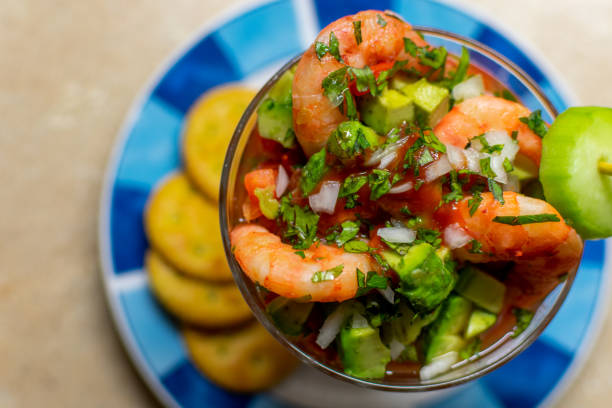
{"x":193,"y":300}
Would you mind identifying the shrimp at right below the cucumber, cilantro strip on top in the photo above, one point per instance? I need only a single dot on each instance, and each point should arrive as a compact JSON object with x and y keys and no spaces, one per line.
{"x":542,"y":252}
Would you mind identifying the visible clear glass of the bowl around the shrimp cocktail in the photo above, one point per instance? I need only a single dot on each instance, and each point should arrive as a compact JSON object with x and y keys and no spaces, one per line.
{"x":232,"y":195}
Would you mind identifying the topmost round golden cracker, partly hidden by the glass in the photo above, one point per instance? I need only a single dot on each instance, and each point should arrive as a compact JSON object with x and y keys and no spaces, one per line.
{"x":207,"y":132}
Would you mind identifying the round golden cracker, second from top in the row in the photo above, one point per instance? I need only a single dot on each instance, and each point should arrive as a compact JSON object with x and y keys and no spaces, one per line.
{"x":184,"y":228}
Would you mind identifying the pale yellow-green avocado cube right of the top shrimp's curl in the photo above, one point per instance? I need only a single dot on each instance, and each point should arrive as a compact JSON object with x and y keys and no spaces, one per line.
{"x":431,"y":101}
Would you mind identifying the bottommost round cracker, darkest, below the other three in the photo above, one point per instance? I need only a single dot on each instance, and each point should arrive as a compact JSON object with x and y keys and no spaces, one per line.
{"x":247,"y":360}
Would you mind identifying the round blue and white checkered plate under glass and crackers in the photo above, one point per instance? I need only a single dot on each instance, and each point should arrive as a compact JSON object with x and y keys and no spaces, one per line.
{"x":249,"y":44}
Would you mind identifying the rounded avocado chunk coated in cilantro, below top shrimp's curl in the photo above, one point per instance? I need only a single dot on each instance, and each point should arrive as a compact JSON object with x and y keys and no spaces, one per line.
{"x":352,"y":138}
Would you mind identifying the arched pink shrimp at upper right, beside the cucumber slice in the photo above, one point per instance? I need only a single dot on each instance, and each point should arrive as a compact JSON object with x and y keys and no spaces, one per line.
{"x":475,"y":116}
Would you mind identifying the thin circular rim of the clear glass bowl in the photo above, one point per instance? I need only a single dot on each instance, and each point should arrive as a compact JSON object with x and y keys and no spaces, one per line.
{"x":260,"y":314}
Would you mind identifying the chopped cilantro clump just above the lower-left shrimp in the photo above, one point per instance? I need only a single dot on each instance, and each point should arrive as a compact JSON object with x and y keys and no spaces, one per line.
{"x":301,"y":224}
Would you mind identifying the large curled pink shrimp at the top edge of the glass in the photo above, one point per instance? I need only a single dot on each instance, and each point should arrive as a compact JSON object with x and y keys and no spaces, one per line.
{"x":314,"y":116}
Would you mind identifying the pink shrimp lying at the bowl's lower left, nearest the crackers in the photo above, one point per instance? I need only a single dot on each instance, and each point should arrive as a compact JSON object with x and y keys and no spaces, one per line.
{"x":279,"y":268}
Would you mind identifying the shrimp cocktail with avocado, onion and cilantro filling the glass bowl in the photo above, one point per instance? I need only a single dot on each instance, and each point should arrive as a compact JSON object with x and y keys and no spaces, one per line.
{"x":392,"y":216}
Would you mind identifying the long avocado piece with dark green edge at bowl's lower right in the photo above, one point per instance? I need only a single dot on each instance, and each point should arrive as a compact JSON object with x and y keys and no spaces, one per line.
{"x":445,"y":332}
